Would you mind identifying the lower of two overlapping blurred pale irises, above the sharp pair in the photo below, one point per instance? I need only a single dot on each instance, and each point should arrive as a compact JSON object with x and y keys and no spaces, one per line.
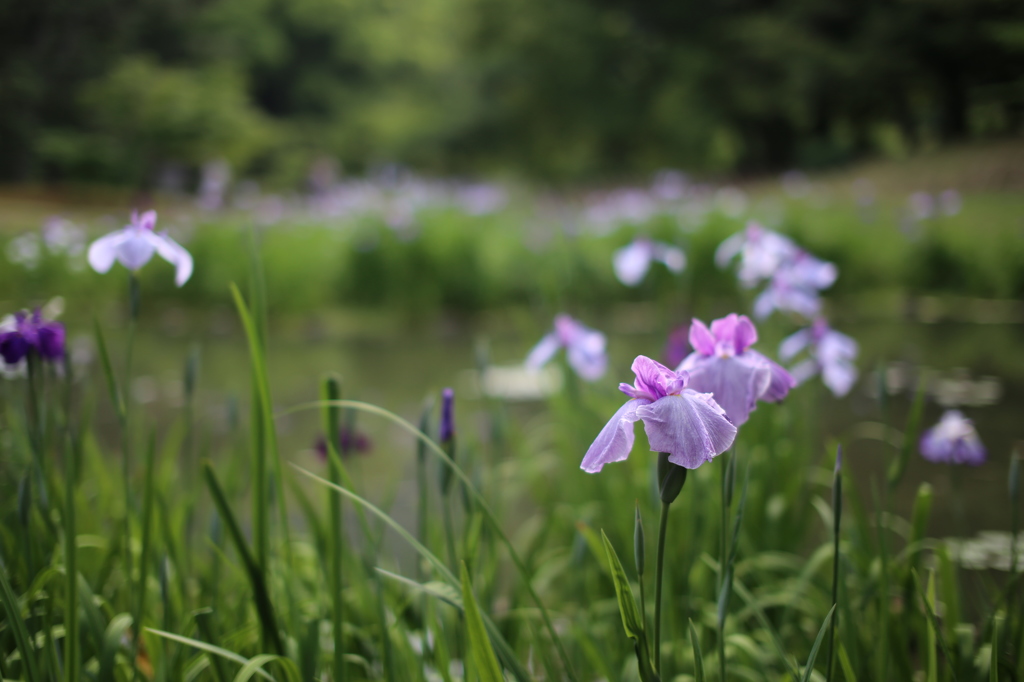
{"x":795,"y":286}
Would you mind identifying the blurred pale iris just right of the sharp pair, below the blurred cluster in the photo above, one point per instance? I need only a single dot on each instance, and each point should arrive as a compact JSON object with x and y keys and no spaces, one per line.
{"x":831,"y":354}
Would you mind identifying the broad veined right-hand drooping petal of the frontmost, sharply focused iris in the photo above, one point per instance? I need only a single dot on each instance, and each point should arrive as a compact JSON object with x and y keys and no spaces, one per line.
{"x":692,"y":428}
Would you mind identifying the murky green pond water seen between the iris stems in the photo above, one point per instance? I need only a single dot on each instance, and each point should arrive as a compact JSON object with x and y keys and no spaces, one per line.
{"x":976,"y":367}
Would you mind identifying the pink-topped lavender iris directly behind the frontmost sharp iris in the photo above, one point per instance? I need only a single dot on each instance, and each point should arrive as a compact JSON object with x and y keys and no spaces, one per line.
{"x":723,"y":364}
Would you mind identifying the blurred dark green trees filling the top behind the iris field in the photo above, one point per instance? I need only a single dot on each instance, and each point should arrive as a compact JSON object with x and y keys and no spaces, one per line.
{"x":139,"y":91}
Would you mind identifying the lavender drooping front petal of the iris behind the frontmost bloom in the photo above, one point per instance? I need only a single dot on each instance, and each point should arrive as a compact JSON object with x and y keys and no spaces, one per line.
{"x":736,"y":382}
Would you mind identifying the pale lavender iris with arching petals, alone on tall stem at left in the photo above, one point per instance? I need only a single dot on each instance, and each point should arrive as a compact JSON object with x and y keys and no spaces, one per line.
{"x":135,"y":245}
